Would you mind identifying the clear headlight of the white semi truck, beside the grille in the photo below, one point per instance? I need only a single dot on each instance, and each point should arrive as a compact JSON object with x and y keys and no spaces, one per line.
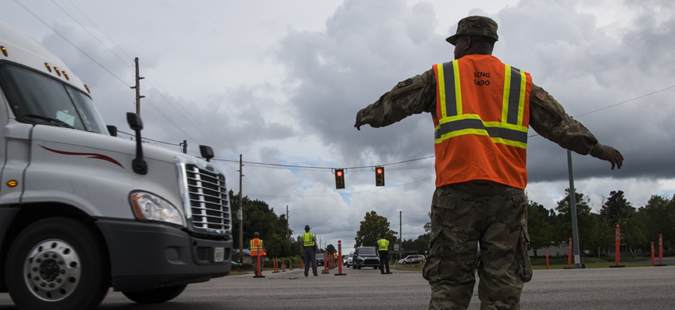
{"x":150,"y":207}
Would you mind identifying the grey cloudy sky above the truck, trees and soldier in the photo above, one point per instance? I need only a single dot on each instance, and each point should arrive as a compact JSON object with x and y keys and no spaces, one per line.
{"x":280,"y":82}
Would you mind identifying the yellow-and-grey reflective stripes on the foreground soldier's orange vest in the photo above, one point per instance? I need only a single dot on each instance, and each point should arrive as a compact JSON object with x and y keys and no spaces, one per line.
{"x":454,"y":122}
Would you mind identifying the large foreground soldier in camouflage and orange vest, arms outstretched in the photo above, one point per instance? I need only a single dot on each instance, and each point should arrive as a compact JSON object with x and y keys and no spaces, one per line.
{"x":481,"y":109}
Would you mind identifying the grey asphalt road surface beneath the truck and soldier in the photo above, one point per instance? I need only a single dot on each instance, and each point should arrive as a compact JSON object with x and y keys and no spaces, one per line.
{"x":611,"y":288}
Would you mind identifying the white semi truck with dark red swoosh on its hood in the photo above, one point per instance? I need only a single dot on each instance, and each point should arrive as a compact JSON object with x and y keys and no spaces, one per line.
{"x":82,"y":210}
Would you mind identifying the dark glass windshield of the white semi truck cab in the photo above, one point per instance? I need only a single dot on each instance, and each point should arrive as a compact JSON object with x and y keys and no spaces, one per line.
{"x":38,"y":99}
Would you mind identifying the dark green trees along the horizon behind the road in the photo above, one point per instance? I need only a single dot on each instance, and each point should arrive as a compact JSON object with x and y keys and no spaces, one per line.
{"x":546,"y":227}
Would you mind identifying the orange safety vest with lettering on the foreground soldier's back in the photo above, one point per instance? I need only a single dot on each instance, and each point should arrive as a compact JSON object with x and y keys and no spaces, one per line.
{"x":481,"y":122}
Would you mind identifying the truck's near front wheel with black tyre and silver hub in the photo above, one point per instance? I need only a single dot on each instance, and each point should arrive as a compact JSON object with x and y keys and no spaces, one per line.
{"x":57,"y":263}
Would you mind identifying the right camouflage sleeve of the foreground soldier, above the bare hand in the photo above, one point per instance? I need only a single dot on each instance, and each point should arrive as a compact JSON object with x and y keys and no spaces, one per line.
{"x":548,"y":119}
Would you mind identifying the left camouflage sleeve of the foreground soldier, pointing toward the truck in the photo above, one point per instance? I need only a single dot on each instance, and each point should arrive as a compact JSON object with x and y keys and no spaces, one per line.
{"x":412,"y":96}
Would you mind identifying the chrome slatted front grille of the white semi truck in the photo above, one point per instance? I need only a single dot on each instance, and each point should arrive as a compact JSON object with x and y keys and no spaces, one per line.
{"x":208,"y":200}
